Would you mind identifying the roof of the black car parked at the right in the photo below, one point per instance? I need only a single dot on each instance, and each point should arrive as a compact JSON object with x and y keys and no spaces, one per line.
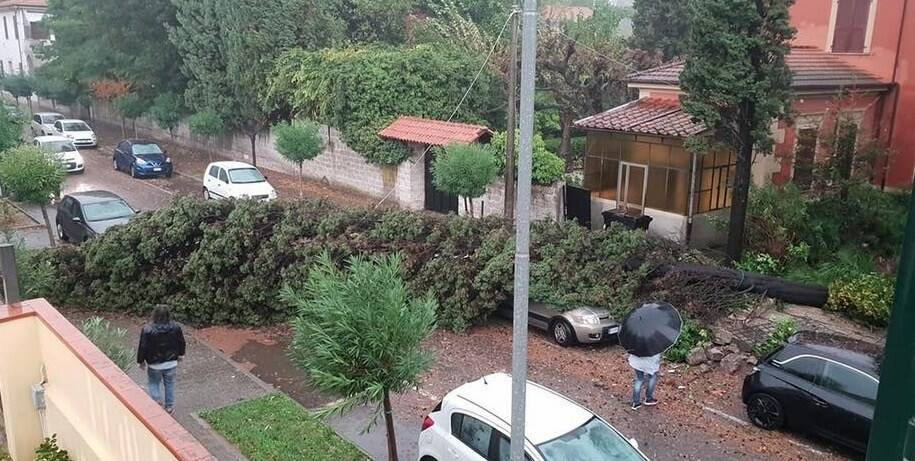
{"x":859,"y":354}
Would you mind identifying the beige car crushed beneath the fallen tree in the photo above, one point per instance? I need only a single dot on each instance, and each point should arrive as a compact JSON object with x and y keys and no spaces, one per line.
{"x":585,"y":325}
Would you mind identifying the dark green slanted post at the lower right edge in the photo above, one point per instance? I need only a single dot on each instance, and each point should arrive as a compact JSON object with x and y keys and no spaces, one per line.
{"x":895,"y":405}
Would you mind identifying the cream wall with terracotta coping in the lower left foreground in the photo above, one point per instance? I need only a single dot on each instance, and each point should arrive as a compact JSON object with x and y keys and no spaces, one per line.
{"x":97,"y":412}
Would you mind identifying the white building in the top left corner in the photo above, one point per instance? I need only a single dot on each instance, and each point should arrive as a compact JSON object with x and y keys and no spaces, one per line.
{"x":22,"y":32}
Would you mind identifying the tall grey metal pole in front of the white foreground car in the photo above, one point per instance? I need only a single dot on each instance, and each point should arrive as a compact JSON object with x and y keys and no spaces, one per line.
{"x":523,"y":228}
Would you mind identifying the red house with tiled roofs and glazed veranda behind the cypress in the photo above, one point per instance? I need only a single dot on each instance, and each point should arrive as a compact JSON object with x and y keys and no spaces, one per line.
{"x":635,"y":160}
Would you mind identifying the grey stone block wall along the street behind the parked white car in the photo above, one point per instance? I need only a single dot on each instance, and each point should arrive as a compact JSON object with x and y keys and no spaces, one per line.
{"x":339,"y":165}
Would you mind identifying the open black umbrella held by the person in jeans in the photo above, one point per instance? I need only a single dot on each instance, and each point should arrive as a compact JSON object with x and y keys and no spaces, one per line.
{"x":651,"y":329}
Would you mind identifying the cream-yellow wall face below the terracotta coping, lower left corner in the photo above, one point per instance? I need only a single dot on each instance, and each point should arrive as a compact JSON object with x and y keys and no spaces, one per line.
{"x":89,"y":420}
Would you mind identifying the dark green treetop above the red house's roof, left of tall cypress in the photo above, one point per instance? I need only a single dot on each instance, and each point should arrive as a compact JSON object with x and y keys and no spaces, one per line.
{"x":661,"y":25}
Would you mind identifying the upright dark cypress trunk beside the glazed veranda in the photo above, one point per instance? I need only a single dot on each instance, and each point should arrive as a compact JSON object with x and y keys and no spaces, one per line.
{"x":738,"y":224}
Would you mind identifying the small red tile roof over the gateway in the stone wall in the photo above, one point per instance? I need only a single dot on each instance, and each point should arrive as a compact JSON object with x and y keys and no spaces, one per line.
{"x":432,"y":132}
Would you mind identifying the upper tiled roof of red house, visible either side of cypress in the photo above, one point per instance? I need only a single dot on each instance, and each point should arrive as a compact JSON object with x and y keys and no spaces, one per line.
{"x":812,"y":69}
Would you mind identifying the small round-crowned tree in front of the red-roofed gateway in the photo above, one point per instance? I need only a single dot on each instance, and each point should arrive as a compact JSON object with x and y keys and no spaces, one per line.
{"x":464,"y":171}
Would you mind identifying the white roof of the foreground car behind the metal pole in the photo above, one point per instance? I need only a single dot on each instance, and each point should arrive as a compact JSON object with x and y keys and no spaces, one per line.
{"x":549,"y":414}
